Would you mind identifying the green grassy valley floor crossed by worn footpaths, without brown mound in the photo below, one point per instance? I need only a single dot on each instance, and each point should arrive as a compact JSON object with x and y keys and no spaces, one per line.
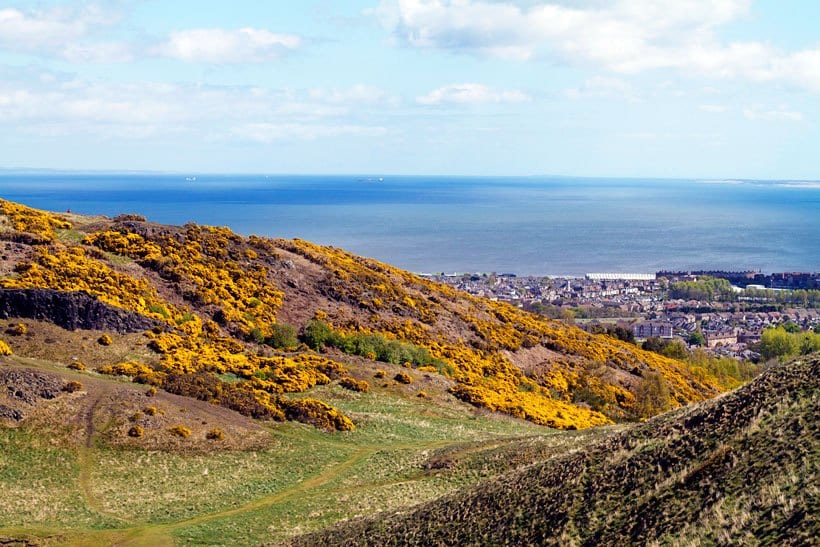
{"x":307,"y":479}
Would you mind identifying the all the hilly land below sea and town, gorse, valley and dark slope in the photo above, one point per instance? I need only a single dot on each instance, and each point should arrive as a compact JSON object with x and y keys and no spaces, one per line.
{"x":165,"y":385}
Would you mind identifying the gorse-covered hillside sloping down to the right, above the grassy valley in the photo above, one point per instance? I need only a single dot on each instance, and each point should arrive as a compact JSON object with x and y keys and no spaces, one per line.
{"x":223,"y":309}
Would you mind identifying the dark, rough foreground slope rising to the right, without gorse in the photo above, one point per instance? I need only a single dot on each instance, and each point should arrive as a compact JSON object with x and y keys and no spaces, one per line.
{"x":739,"y":469}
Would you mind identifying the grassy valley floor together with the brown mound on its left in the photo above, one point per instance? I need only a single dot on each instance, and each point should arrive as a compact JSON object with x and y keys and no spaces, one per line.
{"x":72,"y":475}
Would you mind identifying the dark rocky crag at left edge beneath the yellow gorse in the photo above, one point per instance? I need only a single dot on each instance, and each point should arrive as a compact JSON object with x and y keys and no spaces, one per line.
{"x":70,"y":310}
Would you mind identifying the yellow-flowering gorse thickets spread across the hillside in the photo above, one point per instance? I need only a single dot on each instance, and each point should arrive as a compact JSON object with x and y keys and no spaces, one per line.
{"x":229,"y":278}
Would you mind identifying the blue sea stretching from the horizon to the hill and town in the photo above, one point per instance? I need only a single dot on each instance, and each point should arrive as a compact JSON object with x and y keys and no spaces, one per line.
{"x":522,"y":225}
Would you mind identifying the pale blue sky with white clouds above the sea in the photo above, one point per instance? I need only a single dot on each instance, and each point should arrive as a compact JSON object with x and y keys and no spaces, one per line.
{"x":621,"y":88}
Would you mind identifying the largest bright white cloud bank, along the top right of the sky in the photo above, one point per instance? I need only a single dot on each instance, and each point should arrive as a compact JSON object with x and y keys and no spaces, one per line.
{"x":626,"y":36}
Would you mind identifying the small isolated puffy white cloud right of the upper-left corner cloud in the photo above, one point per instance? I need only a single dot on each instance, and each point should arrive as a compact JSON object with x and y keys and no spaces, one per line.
{"x":214,"y":45}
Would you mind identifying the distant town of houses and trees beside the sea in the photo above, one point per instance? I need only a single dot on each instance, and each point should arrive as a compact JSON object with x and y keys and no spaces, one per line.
{"x":724,"y":312}
